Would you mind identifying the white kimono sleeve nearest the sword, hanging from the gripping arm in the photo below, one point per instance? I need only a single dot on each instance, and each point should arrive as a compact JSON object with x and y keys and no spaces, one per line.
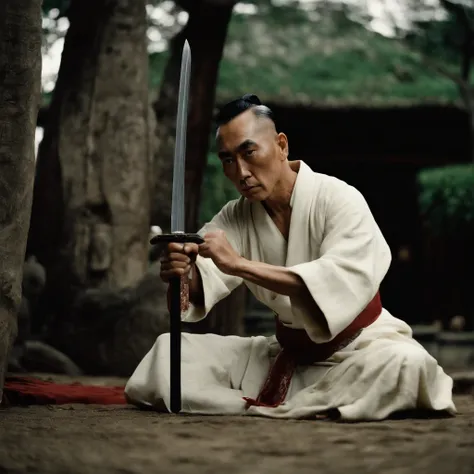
{"x":216,"y":284}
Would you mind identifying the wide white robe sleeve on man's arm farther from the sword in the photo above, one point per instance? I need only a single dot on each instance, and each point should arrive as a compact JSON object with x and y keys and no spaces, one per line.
{"x":354,"y":258}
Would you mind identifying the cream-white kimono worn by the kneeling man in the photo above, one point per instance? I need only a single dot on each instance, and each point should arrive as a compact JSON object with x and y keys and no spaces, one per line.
{"x":338,"y":250}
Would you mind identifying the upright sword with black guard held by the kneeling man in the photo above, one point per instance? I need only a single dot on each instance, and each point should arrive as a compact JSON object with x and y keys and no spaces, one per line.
{"x":178,"y":287}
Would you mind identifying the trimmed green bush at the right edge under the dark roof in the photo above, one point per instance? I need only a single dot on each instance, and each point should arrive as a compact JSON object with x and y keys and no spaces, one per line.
{"x":446,"y":198}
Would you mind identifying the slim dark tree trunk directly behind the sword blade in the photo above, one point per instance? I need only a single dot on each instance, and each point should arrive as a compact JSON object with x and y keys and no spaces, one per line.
{"x":206,"y":51}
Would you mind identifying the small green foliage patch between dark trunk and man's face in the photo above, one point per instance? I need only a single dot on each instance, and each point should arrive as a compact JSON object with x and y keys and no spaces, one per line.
{"x":217,"y":190}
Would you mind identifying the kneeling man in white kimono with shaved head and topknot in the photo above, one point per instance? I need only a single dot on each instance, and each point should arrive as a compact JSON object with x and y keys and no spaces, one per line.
{"x":307,"y":246}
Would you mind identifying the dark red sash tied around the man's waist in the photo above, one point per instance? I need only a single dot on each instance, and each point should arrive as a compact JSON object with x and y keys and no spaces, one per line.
{"x":298,"y":348}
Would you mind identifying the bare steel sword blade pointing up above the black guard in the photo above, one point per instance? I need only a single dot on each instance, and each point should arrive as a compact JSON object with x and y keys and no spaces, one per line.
{"x":177,"y":197}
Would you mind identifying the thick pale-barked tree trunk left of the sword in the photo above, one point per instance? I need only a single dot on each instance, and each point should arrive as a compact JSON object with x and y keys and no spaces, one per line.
{"x":90,"y":221}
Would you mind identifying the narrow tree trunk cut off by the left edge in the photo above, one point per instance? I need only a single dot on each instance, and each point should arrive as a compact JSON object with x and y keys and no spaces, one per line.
{"x":20,"y":72}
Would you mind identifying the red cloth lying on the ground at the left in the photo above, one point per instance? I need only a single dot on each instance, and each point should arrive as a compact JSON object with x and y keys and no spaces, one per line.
{"x":22,"y":391}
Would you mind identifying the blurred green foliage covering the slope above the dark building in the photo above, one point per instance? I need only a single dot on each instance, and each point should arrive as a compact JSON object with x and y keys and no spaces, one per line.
{"x":282,"y":54}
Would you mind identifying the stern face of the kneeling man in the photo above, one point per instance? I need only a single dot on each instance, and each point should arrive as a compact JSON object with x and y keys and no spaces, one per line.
{"x":252,"y":154}
